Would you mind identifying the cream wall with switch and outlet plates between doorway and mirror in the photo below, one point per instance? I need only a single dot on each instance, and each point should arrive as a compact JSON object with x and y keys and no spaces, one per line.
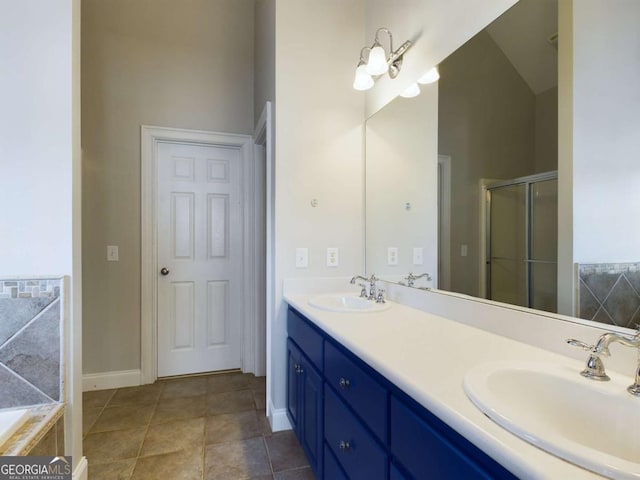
{"x":319,"y":150}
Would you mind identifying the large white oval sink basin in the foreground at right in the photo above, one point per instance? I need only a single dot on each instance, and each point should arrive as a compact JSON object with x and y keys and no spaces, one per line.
{"x":593,"y":424}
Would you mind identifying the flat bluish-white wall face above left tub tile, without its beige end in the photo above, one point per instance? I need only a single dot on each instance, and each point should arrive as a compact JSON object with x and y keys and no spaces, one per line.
{"x":35,"y":137}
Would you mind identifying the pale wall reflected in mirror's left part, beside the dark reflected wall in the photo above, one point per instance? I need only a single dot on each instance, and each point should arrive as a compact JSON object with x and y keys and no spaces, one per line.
{"x":401,"y":207}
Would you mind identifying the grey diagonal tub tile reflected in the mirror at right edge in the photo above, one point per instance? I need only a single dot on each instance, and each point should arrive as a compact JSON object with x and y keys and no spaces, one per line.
{"x":610,"y":293}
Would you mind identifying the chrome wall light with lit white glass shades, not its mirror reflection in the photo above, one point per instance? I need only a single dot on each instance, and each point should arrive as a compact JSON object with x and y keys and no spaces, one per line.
{"x":378,"y":63}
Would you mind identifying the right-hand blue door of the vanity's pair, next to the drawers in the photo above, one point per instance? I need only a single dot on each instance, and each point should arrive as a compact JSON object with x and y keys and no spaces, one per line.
{"x":310,"y":414}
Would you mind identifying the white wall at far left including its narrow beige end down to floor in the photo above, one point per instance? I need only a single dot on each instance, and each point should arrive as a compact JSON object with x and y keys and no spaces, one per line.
{"x":40,"y":163}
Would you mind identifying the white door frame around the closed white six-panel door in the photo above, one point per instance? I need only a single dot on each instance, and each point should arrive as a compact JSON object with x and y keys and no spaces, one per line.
{"x":150,"y":136}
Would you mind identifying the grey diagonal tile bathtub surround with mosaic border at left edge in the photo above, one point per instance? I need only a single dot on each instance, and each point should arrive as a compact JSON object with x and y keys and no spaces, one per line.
{"x":30,"y":357}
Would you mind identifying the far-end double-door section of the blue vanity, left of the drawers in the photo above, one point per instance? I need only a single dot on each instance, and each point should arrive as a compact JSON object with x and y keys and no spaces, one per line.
{"x":305,"y":390}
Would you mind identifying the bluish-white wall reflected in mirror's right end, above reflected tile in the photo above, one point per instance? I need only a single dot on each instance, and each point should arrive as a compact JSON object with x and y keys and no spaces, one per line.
{"x":606,"y":131}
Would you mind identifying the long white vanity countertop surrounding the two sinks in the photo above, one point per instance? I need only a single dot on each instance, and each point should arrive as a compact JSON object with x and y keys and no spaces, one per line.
{"x":427,"y":357}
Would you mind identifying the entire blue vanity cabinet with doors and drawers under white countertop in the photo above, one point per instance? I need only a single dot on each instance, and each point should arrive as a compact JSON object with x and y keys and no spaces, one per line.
{"x":353,"y":423}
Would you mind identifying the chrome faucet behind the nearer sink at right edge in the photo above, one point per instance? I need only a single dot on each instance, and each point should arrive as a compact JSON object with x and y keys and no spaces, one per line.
{"x":595,"y":367}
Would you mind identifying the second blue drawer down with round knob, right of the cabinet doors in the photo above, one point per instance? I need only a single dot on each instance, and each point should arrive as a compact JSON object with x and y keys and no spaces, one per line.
{"x":354,"y":447}
